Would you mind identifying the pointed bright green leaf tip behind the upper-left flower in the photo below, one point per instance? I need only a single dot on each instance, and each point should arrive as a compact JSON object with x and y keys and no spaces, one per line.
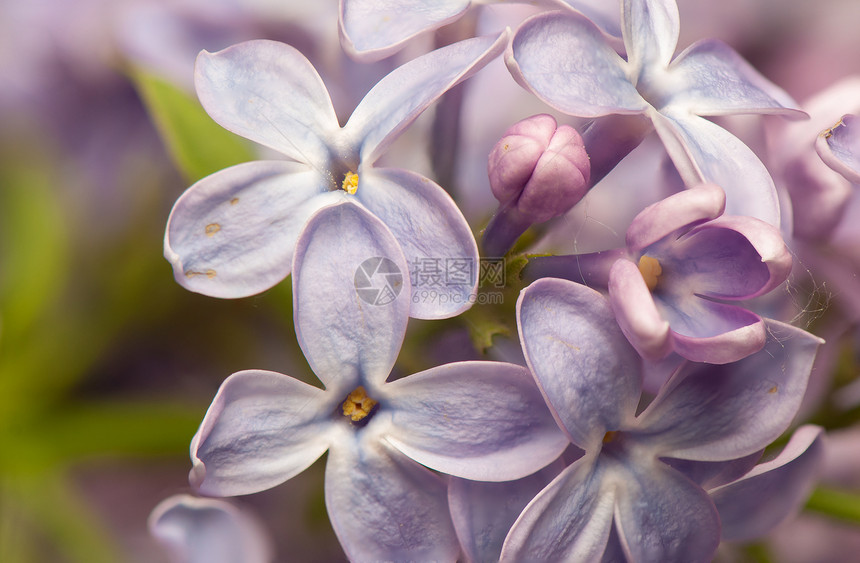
{"x":198,"y":145}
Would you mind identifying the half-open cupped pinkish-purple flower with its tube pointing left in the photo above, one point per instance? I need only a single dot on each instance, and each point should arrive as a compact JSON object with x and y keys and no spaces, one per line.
{"x":683,"y":260}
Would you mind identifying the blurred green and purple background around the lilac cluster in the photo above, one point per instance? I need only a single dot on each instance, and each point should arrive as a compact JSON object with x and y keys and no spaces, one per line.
{"x":107,"y":365}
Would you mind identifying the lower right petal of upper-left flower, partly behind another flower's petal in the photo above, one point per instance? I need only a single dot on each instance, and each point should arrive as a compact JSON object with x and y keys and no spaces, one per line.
{"x":429,"y":226}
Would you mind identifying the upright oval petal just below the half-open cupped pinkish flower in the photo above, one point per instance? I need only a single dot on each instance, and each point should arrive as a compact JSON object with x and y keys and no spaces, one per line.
{"x":588,"y":373}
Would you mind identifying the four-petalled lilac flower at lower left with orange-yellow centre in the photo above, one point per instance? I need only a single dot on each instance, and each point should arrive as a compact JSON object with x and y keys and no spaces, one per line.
{"x":477,"y":420}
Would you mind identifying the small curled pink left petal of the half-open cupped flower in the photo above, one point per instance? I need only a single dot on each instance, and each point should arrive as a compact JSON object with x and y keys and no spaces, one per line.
{"x":636,"y":312}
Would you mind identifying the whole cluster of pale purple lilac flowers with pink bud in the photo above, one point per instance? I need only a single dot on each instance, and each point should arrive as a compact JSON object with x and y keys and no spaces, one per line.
{"x":631,"y":421}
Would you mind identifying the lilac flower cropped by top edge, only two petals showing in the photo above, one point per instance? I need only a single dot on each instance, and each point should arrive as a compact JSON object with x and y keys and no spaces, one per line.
{"x":373,"y":29}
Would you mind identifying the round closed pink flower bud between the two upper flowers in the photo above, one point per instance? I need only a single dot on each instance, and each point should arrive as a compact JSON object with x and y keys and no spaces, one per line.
{"x":539,"y":168}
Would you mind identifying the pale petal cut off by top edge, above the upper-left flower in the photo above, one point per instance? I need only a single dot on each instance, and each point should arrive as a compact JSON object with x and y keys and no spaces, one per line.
{"x":374,"y":29}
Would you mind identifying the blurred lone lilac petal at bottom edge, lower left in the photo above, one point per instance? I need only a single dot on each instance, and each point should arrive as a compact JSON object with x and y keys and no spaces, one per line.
{"x":203,"y":530}
